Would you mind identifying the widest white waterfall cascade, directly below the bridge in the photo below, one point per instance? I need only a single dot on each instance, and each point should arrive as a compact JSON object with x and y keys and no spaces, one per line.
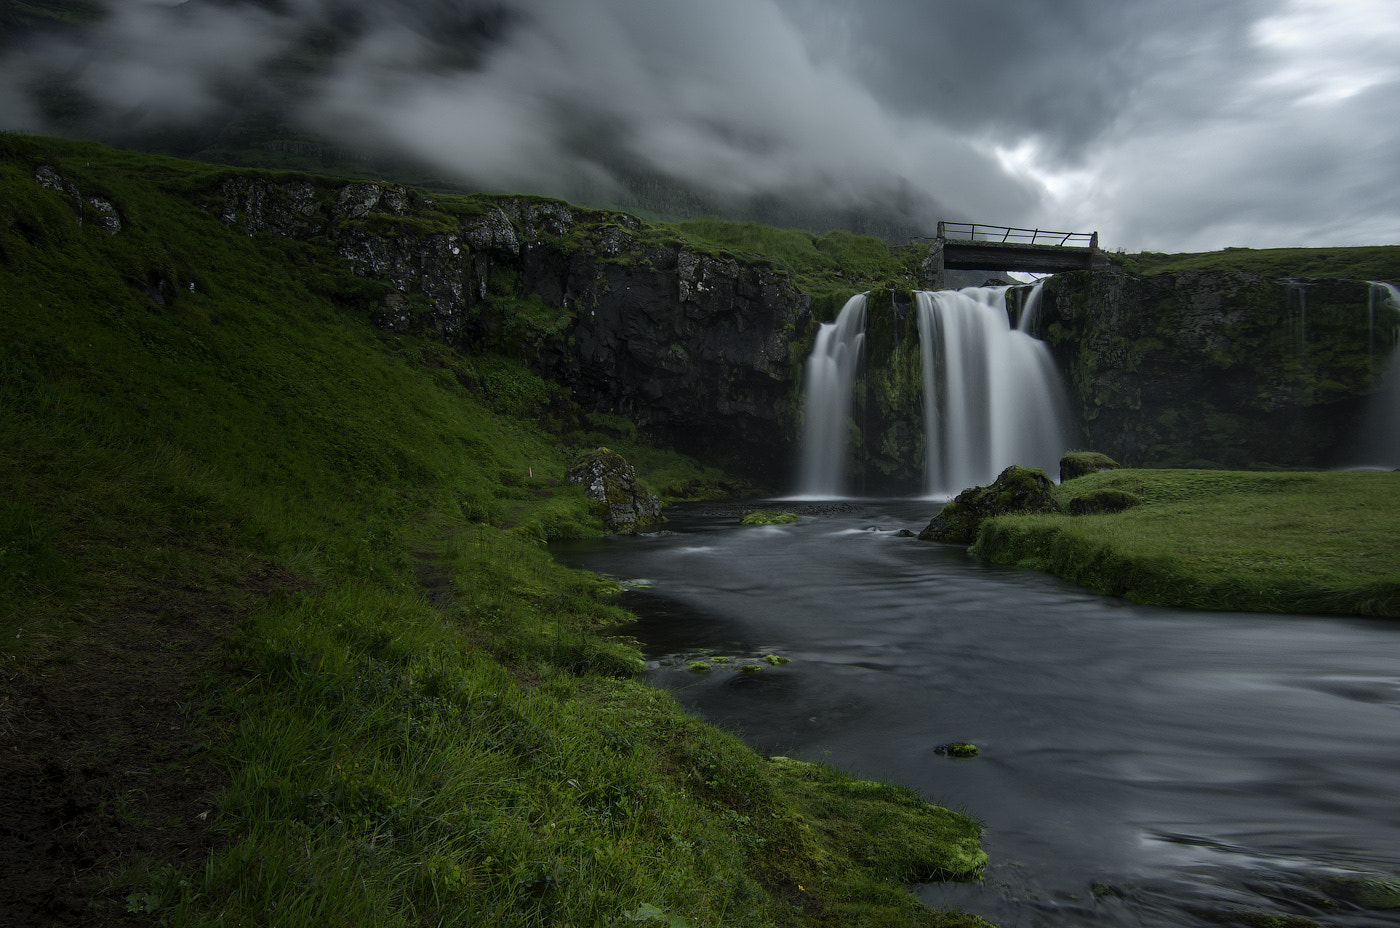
{"x":992,"y":394}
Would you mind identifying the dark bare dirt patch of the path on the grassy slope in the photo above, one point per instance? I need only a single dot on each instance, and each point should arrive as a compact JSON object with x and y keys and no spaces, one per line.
{"x":104,"y":762}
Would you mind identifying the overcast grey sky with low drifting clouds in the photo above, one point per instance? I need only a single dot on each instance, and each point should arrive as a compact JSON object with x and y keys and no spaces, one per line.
{"x":1165,"y":125}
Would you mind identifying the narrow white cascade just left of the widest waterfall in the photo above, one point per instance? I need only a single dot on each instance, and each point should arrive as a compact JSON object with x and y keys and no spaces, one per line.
{"x":831,"y":379}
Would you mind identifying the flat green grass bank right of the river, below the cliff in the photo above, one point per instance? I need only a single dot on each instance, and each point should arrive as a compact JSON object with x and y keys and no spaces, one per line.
{"x":1219,"y":540}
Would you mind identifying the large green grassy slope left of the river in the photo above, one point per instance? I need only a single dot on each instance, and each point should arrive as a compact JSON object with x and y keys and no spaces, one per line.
{"x":295,"y":569}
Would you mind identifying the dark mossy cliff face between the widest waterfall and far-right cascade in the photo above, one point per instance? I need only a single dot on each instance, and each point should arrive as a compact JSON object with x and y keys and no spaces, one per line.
{"x":1217,"y":369}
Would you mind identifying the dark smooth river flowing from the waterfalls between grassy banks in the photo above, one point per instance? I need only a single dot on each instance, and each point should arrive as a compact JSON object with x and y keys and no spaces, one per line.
{"x":1139,"y":766}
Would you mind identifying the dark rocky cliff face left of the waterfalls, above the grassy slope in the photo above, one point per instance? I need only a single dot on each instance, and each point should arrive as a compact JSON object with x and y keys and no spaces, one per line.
{"x":692,"y":346}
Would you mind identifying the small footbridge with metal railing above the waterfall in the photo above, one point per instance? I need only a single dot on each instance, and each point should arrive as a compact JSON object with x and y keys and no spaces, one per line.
{"x":979,"y":247}
